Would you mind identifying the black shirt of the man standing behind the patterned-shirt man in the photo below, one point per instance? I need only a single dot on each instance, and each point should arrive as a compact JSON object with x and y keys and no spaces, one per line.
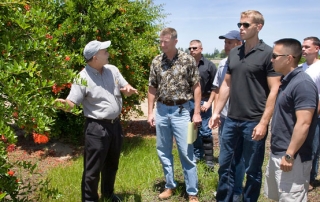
{"x":207,"y":71}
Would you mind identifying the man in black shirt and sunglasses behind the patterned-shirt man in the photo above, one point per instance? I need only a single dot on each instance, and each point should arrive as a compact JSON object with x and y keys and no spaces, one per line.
{"x":204,"y":142}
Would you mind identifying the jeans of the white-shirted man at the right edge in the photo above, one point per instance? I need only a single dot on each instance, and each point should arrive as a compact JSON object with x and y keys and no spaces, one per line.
{"x":315,"y":153}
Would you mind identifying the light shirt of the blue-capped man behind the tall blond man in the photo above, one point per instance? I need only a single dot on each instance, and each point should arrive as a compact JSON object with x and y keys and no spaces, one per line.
{"x":218,"y":79}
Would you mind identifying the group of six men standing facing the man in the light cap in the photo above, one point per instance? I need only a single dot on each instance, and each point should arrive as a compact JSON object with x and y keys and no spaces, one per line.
{"x":254,"y":84}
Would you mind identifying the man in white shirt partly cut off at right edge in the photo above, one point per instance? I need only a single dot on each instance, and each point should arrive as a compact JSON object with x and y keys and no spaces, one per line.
{"x":310,"y":51}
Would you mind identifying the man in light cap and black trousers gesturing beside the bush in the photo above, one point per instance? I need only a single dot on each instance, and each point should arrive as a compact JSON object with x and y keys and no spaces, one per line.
{"x":98,"y":90}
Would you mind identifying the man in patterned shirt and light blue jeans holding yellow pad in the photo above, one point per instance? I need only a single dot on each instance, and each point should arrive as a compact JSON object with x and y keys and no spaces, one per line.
{"x":174,"y":80}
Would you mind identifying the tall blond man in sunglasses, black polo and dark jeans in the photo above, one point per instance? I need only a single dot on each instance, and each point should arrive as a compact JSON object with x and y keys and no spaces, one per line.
{"x":252,"y":85}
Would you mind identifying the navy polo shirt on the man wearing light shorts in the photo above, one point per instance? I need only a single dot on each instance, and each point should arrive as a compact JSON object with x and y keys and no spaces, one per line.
{"x":296,"y":92}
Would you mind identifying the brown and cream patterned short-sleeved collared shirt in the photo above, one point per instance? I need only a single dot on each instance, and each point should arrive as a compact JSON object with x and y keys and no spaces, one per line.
{"x":174,"y":79}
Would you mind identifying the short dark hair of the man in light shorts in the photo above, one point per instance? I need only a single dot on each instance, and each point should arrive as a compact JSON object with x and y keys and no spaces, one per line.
{"x":291,"y":47}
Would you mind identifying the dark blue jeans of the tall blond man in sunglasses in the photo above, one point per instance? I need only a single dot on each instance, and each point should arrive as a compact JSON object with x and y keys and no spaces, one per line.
{"x":237,"y":143}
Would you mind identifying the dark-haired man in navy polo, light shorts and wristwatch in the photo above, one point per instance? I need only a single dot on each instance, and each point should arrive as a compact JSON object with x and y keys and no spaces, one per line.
{"x":292,"y":128}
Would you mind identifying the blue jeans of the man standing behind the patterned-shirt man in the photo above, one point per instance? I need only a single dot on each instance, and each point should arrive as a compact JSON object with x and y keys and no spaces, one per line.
{"x":203,"y":132}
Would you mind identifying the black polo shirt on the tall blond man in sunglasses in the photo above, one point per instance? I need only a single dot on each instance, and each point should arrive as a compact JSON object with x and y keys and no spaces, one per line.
{"x":249,"y":87}
